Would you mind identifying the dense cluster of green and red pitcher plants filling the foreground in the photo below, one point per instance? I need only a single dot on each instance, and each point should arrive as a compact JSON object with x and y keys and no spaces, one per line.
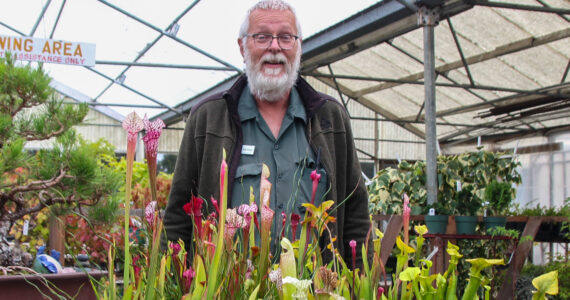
{"x":230,"y":258}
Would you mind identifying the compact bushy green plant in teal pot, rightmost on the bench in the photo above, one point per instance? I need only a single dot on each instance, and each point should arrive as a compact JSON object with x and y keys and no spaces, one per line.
{"x":498,"y":197}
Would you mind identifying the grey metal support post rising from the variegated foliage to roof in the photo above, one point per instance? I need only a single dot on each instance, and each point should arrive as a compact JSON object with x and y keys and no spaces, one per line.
{"x":429,"y":18}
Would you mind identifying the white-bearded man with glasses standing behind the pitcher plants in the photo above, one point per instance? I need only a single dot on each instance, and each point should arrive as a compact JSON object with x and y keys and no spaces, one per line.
{"x":272,"y":116}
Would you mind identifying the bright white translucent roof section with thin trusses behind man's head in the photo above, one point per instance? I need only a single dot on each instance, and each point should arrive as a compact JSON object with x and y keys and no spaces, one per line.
{"x":141,"y":61}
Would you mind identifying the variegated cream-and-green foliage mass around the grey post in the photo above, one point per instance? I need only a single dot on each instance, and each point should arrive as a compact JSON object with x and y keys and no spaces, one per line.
{"x":472,"y":170}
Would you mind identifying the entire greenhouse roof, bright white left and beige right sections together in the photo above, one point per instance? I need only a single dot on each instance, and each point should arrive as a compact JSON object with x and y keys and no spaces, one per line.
{"x":501,"y":66}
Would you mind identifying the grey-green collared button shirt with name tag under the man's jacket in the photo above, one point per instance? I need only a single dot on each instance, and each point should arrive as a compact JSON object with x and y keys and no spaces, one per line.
{"x":289,"y":157}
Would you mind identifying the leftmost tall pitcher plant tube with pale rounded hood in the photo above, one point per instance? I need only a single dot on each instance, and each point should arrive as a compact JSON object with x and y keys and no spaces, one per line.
{"x":132,"y":124}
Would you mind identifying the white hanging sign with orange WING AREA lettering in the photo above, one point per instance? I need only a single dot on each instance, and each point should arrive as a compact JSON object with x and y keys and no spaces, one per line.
{"x":48,"y":51}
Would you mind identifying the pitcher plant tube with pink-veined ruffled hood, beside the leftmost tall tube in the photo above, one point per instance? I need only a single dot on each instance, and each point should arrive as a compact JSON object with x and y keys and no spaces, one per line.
{"x":153,"y":131}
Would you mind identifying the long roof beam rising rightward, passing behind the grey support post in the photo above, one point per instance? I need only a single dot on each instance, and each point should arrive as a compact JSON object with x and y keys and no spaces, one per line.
{"x":516,"y":46}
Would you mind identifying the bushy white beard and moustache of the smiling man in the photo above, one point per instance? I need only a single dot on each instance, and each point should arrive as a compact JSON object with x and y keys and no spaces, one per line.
{"x":270,"y":88}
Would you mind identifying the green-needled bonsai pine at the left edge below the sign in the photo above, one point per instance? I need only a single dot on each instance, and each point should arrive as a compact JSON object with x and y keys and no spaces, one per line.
{"x":65,"y":176}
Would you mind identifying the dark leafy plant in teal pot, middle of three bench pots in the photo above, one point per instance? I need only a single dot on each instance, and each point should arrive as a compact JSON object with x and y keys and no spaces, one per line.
{"x":465,"y":206}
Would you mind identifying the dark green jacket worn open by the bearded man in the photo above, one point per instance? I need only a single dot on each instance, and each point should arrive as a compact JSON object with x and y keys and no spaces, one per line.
{"x":214,"y":125}
